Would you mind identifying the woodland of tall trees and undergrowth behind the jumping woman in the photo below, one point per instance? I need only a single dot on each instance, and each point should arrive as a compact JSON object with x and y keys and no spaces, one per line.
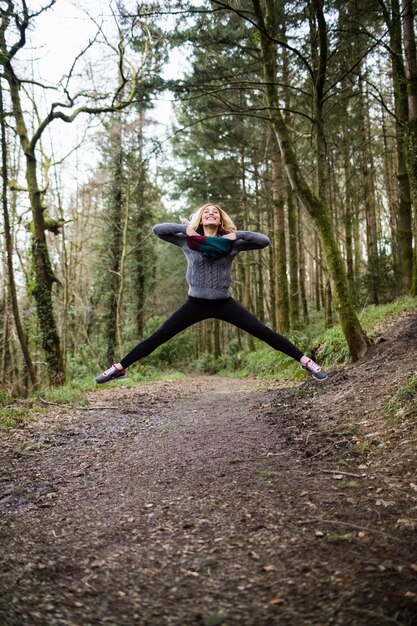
{"x":298,"y":117}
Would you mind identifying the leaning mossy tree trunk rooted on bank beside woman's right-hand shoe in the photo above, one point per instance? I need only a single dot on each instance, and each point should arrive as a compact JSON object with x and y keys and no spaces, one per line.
{"x":316,"y":207}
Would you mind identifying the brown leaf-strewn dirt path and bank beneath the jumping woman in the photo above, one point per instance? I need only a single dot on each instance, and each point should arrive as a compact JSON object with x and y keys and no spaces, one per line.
{"x":215,"y":501}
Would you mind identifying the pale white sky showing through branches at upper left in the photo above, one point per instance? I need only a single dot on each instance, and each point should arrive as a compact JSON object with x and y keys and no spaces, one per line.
{"x":57,"y":37}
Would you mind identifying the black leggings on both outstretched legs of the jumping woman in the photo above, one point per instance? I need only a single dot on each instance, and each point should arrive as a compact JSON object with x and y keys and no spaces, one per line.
{"x":198,"y":309}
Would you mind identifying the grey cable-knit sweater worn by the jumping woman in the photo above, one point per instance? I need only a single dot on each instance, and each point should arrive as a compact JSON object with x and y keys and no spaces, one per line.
{"x":208,"y":278}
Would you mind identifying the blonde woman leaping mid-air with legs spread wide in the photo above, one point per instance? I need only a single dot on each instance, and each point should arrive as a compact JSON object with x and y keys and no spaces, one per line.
{"x":210,"y":242}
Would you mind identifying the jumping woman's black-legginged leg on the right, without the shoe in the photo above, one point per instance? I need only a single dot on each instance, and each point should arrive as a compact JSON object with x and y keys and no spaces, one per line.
{"x":234,"y":313}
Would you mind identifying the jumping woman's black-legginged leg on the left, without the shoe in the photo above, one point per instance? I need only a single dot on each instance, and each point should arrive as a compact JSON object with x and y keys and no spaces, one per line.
{"x":189,"y":313}
